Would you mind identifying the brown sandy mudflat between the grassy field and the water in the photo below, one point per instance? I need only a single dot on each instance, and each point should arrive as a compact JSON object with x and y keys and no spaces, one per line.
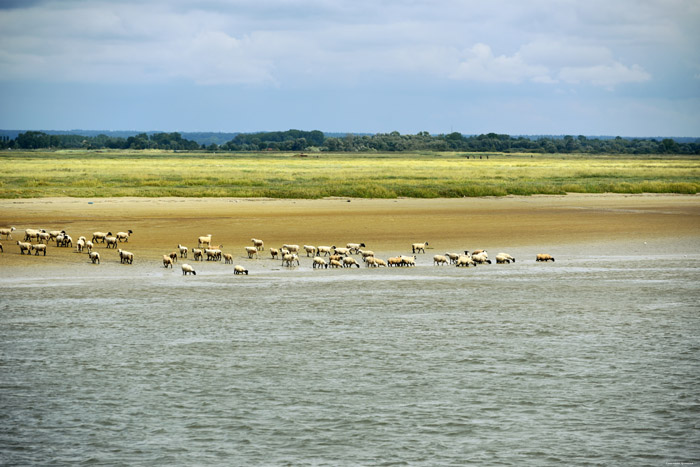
{"x":534,"y":223}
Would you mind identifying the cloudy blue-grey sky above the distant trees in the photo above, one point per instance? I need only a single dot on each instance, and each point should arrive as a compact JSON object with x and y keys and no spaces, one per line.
{"x":536,"y":67}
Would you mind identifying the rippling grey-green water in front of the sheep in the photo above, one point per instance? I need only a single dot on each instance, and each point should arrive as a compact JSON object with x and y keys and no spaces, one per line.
{"x":588,"y":361}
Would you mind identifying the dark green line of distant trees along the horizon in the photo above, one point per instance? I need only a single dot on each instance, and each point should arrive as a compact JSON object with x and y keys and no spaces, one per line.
{"x":317,"y":141}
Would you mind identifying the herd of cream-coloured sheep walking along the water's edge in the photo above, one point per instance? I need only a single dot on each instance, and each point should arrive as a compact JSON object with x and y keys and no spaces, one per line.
{"x":37,"y":241}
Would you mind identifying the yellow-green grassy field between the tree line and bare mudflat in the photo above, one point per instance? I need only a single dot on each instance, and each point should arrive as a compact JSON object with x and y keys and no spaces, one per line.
{"x":276,"y":175}
